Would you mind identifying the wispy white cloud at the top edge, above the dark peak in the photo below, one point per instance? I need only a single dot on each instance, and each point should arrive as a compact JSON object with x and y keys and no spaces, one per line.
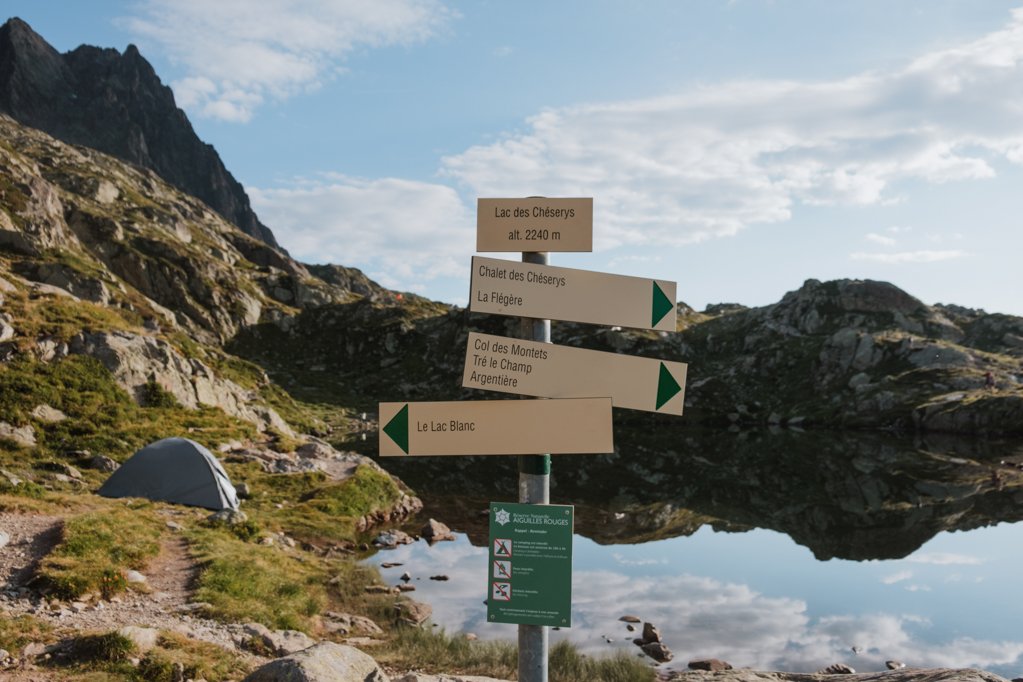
{"x":239,"y":55}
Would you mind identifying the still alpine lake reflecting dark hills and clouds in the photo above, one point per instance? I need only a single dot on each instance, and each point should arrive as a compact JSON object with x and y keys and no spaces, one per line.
{"x":774,"y":550}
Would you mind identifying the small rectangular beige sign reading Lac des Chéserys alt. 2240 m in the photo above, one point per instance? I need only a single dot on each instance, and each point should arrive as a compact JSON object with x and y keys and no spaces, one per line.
{"x":535,"y":225}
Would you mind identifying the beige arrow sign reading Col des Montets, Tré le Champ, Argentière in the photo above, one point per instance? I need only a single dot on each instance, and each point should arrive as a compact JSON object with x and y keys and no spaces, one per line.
{"x":549,"y":371}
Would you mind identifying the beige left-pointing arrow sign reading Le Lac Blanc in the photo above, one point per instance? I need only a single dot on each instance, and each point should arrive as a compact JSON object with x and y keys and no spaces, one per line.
{"x":497,"y":428}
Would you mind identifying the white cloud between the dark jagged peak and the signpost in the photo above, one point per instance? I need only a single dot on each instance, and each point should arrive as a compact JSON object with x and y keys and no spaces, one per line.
{"x":401,"y":233}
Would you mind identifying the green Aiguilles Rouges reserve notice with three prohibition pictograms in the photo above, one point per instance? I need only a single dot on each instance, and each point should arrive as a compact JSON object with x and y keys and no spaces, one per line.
{"x":529,"y":581}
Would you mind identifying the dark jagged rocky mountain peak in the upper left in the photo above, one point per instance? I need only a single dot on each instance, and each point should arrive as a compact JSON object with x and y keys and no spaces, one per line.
{"x":116,"y":103}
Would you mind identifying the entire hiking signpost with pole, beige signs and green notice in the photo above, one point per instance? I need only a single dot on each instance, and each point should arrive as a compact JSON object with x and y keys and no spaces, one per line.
{"x":529,"y":580}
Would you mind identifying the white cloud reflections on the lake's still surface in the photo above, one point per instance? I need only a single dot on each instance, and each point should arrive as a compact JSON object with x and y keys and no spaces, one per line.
{"x":698,"y":617}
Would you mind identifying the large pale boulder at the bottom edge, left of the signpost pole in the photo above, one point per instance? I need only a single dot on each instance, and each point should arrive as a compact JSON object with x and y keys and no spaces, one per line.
{"x":326,"y":662}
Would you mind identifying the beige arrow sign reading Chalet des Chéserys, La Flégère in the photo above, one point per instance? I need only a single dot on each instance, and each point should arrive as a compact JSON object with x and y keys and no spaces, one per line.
{"x":526,"y":290}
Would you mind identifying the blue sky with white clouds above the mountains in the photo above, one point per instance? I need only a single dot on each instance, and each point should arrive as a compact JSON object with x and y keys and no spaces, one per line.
{"x":737,"y":148}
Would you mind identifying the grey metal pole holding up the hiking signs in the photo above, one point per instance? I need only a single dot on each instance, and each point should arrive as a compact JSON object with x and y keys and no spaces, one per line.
{"x":535,"y":488}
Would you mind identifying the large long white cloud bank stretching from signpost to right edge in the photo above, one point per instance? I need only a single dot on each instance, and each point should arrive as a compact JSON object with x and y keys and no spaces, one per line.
{"x":710,"y":162}
